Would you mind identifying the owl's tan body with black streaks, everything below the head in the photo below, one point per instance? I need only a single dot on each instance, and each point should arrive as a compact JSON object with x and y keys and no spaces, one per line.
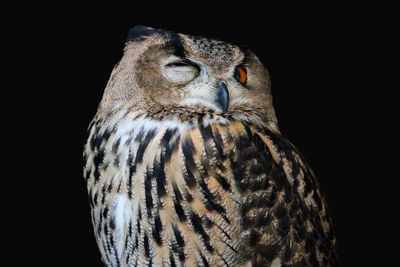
{"x":206,"y":192}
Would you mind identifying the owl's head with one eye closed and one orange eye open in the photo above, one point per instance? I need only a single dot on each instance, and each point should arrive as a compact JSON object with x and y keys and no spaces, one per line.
{"x":165,"y":70}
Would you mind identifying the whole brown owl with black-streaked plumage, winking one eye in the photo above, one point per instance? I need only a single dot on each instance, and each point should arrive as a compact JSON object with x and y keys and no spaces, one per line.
{"x":185,"y":164}
